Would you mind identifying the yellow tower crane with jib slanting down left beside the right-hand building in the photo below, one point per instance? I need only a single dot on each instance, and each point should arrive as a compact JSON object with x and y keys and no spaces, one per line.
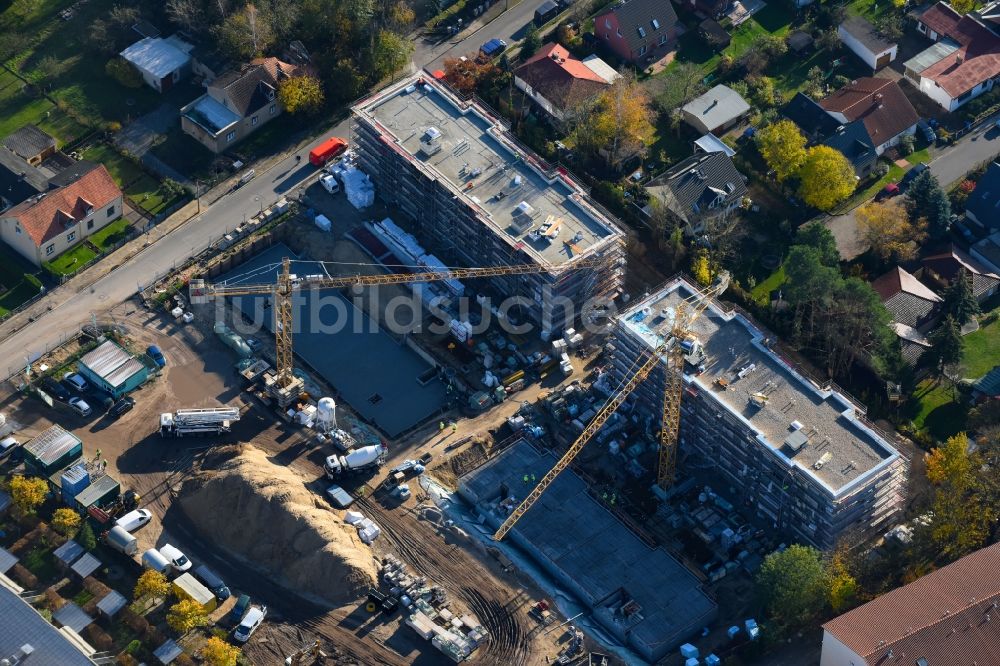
{"x":672,"y":353}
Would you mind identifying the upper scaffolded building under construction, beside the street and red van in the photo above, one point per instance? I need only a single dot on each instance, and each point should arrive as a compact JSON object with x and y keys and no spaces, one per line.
{"x":478,"y":198}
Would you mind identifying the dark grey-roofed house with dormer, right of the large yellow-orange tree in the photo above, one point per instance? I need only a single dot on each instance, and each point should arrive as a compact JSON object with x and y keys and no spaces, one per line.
{"x":699,"y":189}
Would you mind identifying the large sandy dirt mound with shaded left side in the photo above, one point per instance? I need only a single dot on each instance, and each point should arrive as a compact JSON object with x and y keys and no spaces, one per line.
{"x":263,"y":514}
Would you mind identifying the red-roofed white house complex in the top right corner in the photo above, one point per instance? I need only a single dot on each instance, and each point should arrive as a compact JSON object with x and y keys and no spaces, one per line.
{"x":963,"y":63}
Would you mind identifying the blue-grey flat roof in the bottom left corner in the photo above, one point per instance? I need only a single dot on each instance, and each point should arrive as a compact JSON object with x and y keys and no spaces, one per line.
{"x":22,"y":625}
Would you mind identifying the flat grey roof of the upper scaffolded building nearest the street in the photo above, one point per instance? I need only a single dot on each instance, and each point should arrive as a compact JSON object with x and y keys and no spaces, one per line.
{"x":473,"y":140}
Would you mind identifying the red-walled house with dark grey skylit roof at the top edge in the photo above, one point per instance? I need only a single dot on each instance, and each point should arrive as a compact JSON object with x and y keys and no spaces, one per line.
{"x":638,"y":30}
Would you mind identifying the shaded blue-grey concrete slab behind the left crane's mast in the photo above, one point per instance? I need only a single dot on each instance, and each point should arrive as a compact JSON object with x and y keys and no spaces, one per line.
{"x":371,"y":371}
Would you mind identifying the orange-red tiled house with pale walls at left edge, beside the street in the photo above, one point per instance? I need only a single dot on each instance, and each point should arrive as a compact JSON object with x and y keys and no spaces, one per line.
{"x":46,"y":225}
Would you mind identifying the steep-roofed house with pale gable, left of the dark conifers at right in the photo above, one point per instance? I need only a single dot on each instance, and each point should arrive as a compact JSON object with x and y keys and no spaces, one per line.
{"x":913,"y":306}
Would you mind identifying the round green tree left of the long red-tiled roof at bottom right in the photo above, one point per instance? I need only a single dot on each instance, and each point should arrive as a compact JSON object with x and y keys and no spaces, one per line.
{"x":792,"y":585}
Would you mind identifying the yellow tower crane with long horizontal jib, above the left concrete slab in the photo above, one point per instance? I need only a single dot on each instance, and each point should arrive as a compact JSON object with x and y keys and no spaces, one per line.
{"x":287,"y":283}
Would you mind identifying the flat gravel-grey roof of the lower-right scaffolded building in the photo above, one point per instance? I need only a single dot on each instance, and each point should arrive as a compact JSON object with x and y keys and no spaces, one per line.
{"x":848,"y":447}
